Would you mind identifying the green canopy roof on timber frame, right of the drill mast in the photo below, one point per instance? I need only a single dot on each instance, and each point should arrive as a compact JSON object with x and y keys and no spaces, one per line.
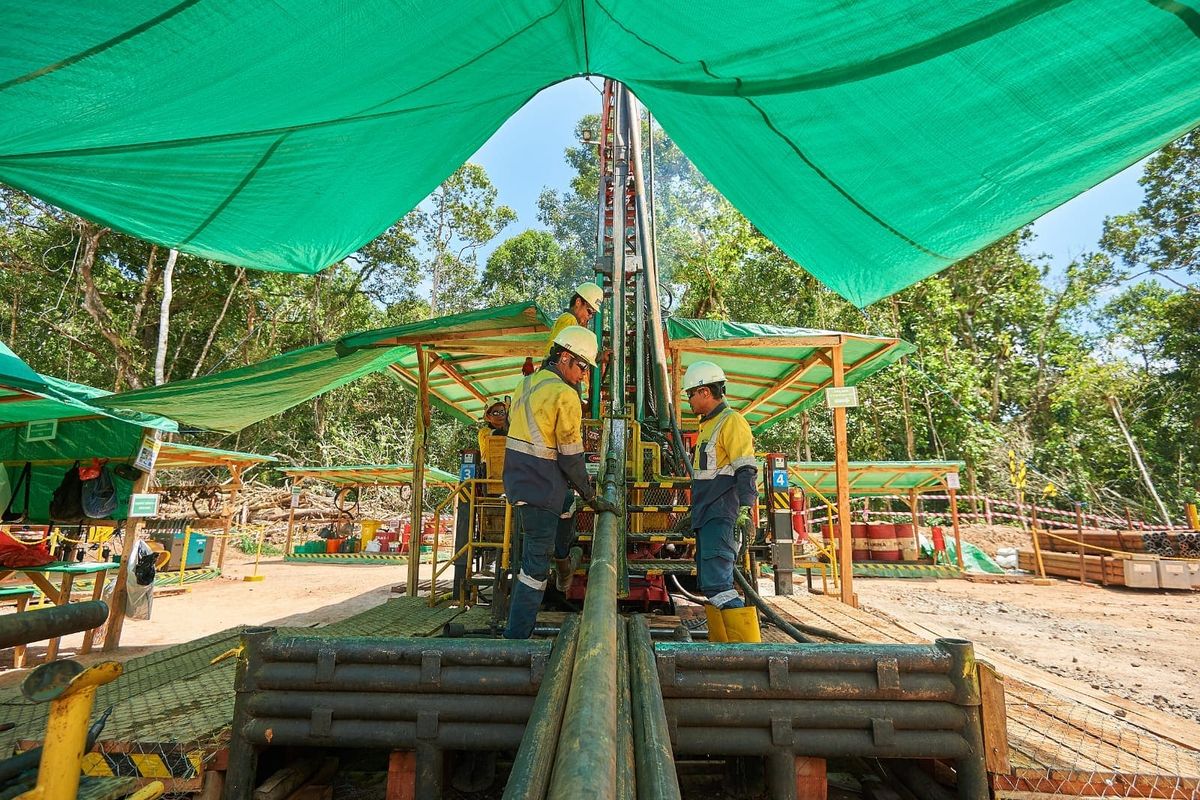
{"x":776,"y":372}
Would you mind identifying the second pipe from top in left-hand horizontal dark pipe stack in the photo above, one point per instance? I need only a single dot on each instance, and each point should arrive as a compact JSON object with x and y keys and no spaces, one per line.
{"x":399,"y":678}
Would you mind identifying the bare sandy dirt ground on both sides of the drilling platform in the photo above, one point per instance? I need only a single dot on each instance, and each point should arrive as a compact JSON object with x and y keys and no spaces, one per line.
{"x":1139,"y":646}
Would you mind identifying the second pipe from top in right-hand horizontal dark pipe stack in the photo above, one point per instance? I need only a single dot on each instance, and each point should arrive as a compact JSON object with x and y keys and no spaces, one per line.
{"x":806,"y":687}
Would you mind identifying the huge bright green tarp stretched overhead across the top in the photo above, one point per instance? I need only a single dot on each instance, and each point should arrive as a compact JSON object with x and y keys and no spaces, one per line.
{"x":877,"y":142}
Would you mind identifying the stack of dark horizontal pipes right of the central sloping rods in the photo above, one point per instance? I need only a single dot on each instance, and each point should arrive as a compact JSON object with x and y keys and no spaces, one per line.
{"x":820,"y":700}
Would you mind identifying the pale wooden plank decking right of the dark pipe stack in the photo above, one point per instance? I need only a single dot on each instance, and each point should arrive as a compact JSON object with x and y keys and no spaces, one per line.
{"x":1065,"y":738}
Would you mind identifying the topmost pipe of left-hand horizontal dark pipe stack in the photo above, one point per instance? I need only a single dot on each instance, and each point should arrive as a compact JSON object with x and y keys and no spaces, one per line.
{"x":411,"y":651}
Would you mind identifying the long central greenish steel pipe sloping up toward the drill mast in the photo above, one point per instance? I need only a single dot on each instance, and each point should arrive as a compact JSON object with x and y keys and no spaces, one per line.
{"x":587,"y":750}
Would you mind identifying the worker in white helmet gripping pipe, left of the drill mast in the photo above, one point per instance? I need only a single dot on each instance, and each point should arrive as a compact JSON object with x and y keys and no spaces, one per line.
{"x":544,"y":468}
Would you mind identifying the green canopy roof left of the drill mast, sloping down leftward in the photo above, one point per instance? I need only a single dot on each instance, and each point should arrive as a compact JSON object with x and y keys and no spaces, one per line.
{"x":476,"y":357}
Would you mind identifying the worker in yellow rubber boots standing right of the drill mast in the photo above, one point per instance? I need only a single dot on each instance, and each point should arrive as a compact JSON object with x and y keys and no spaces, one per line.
{"x":723,"y":491}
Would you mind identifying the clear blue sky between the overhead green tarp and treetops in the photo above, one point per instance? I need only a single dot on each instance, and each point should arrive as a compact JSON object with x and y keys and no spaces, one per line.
{"x":526,"y":155}
